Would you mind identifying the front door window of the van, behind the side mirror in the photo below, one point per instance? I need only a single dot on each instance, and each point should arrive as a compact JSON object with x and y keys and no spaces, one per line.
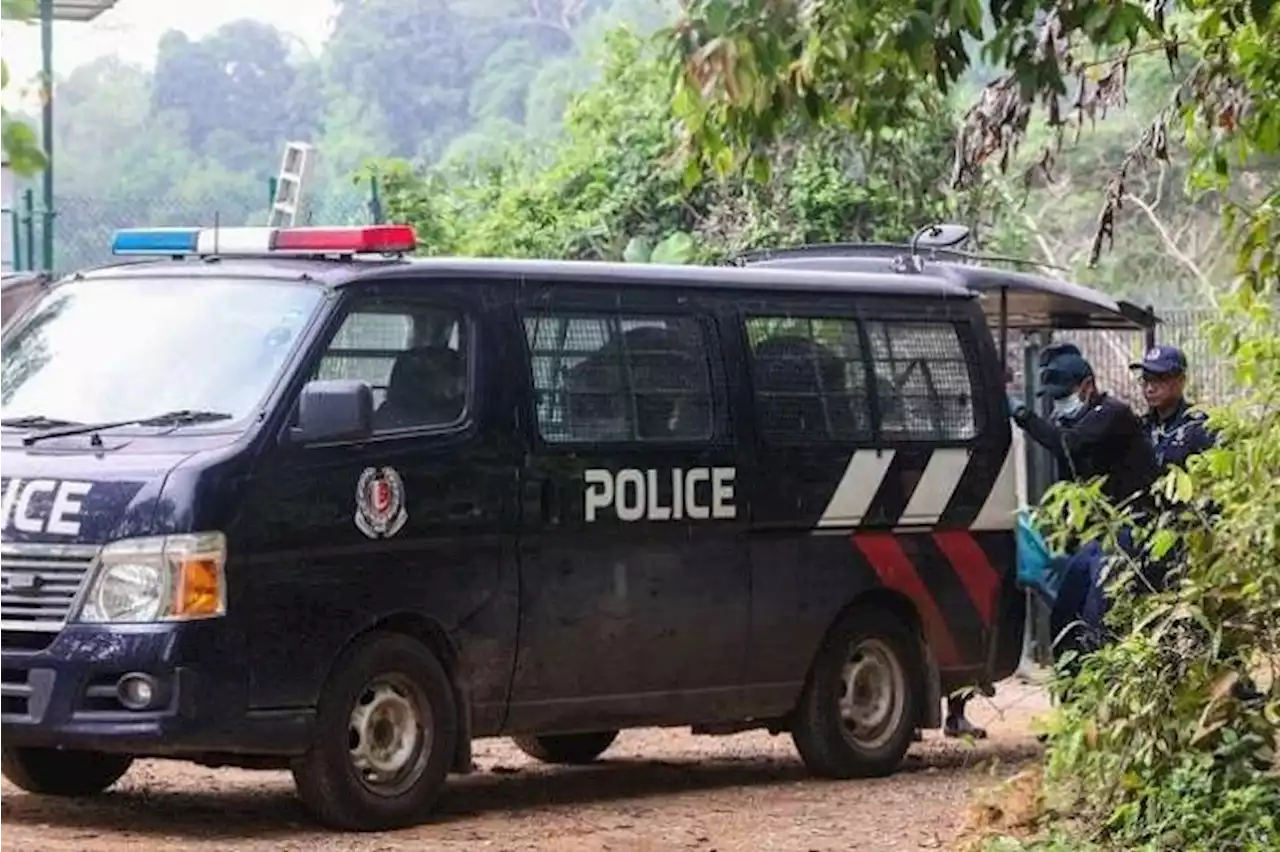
{"x":414,"y":358}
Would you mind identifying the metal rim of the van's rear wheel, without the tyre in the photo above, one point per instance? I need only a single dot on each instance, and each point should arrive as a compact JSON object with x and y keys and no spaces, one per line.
{"x":872,"y":694}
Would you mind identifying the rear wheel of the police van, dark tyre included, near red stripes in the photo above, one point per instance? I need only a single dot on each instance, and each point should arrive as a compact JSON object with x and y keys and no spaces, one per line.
{"x":881,"y":657}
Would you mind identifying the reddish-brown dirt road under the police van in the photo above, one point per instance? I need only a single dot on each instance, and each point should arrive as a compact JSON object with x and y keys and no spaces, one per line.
{"x":655,"y":790}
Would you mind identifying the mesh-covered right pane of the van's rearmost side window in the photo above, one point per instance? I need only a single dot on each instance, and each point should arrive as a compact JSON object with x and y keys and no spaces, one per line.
{"x":924,"y":382}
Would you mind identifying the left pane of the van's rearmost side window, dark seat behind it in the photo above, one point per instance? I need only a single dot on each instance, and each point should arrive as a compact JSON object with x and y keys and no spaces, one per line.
{"x":810,"y":378}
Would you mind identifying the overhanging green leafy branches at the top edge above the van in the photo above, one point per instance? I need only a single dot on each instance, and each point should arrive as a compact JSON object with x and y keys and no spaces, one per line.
{"x":748,"y":70}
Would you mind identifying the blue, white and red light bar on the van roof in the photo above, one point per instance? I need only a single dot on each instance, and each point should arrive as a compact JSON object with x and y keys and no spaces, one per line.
{"x":368,"y":240}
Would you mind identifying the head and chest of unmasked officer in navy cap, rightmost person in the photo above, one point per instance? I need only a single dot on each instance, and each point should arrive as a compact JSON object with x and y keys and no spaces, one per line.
{"x":1176,"y":430}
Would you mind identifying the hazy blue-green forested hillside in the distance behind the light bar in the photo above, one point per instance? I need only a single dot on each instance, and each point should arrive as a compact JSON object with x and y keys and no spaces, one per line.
{"x":440,"y":83}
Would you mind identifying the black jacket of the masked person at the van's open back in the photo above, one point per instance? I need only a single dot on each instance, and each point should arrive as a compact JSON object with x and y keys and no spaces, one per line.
{"x":1107,"y":439}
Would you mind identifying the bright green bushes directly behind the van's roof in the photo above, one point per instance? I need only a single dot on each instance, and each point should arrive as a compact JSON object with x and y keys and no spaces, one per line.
{"x":612,"y":186}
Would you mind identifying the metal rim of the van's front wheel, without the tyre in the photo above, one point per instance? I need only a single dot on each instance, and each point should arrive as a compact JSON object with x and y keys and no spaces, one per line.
{"x":390,"y":735}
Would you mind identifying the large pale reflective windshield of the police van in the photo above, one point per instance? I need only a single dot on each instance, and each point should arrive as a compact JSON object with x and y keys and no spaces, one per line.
{"x":109,"y":351}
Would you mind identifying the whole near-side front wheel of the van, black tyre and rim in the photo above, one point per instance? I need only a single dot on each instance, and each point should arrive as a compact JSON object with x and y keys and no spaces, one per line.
{"x":387,"y":731}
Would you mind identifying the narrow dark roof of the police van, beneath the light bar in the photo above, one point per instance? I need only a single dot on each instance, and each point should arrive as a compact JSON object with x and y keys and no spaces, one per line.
{"x":337,"y":274}
